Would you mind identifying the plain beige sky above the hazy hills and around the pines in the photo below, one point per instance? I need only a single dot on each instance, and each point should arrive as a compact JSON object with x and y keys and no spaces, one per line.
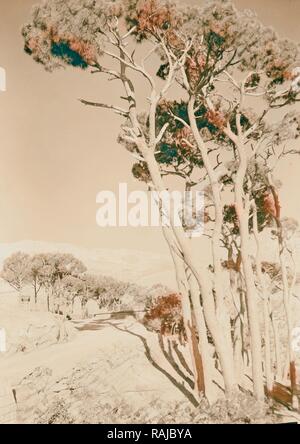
{"x":56,"y":154}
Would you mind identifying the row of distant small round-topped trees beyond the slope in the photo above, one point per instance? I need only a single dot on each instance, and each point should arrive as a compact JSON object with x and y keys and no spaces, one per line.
{"x":61,"y":279}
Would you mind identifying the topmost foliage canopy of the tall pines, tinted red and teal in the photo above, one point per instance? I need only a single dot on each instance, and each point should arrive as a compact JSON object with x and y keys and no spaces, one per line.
{"x":73,"y":32}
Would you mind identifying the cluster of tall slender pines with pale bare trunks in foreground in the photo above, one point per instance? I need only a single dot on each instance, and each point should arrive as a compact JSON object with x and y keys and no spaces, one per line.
{"x":221,"y":93}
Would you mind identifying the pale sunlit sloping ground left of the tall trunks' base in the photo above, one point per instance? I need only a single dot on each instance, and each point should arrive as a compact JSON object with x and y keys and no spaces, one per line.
{"x":108,"y":362}
